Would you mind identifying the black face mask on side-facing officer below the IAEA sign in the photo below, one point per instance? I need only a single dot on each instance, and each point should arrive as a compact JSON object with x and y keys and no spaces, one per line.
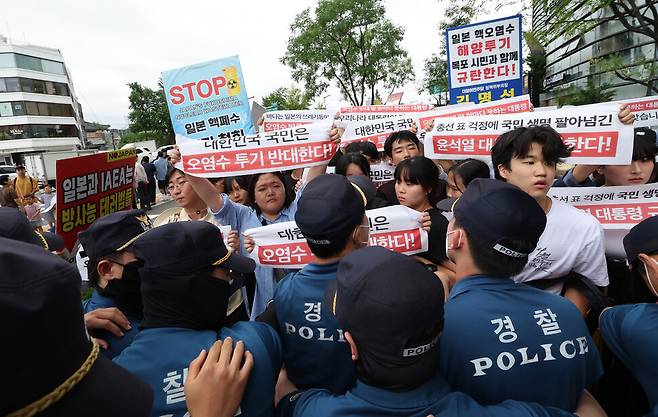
{"x":126,"y":291}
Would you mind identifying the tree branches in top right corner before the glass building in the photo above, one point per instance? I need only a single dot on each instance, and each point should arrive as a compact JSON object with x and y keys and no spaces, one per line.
{"x":636,"y":16}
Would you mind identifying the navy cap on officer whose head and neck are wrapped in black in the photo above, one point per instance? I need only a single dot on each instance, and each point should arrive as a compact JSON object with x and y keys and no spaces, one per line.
{"x":187,"y":247}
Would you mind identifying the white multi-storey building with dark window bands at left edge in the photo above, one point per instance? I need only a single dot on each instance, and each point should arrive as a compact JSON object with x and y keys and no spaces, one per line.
{"x":38,"y":107}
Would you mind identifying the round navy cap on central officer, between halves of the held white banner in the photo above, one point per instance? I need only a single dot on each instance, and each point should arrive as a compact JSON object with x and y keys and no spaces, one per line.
{"x":329,"y":209}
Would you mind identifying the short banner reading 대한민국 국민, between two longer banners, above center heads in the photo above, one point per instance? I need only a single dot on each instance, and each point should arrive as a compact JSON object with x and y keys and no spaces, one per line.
{"x":375,"y":131}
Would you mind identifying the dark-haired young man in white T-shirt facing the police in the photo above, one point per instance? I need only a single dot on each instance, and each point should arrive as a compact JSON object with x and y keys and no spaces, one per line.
{"x":573,"y":240}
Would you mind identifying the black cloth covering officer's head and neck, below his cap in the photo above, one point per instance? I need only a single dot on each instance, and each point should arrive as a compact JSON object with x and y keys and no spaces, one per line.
{"x":196,"y":301}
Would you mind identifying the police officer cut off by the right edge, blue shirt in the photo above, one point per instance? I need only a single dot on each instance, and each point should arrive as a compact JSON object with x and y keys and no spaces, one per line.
{"x":631,"y":331}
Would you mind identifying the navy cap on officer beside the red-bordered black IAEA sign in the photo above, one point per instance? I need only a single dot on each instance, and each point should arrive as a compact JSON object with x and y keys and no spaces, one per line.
{"x":113,"y":232}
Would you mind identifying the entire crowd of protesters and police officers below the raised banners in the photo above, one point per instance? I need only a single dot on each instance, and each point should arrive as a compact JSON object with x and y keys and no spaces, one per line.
{"x":521,"y":306}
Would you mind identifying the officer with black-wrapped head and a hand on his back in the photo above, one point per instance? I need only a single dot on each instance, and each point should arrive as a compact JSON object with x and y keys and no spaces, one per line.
{"x":185,"y":289}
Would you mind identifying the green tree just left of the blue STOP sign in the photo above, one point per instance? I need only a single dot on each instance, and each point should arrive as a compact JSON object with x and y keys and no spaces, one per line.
{"x":149,"y":115}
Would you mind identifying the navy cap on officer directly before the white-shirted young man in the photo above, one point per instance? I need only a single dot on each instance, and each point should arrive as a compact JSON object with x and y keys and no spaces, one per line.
{"x":495,"y":213}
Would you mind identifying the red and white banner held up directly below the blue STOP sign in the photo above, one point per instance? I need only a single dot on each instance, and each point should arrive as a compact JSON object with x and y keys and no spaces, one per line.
{"x":297,"y":147}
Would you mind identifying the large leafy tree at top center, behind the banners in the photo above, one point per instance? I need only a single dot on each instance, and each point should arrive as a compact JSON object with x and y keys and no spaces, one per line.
{"x":351,"y":43}
